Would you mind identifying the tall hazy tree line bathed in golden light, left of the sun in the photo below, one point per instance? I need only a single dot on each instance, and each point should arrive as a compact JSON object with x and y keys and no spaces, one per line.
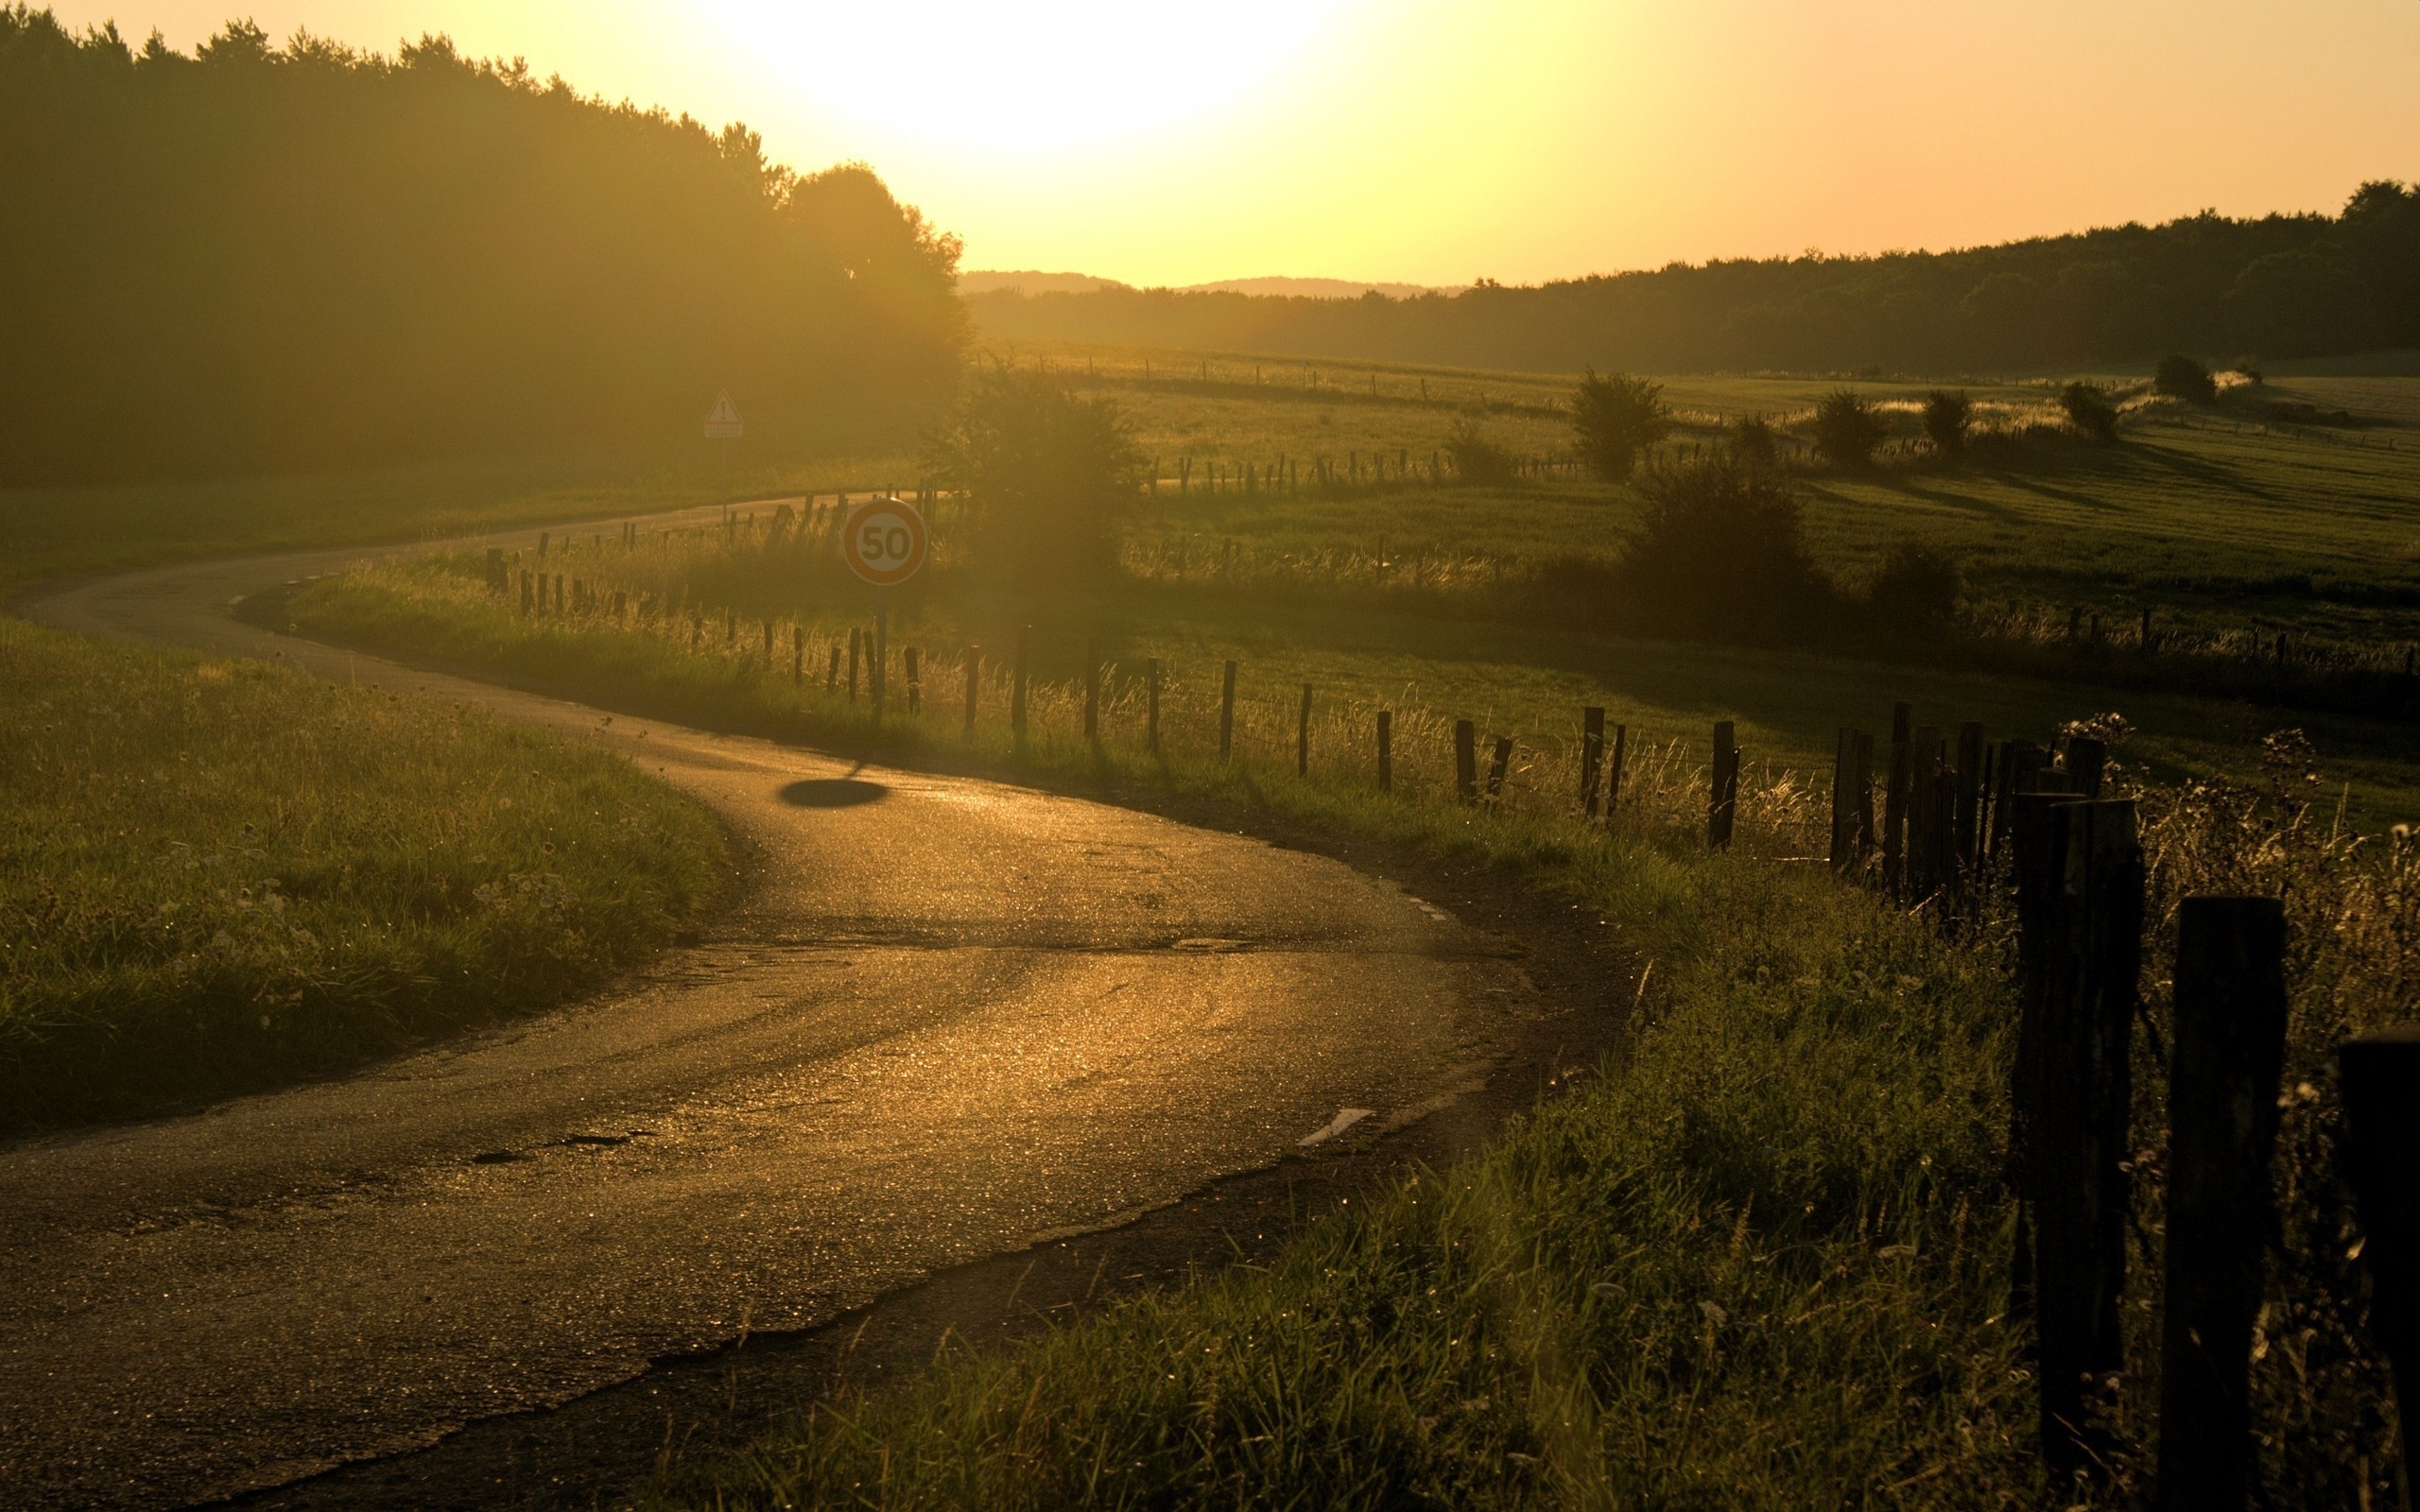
{"x":270,"y":258}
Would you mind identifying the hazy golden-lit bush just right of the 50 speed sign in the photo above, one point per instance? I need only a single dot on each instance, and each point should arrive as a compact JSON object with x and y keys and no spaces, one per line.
{"x":1049,"y":473}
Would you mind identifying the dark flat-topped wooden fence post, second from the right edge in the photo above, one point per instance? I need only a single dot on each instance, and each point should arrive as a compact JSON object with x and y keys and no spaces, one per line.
{"x":2223,"y":1124}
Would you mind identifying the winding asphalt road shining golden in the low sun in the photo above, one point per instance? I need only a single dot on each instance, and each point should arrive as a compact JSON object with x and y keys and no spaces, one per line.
{"x":947,"y":1020}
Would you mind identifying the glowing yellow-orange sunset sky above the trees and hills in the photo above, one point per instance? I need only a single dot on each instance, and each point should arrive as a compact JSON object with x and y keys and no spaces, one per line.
{"x":1441,"y":142}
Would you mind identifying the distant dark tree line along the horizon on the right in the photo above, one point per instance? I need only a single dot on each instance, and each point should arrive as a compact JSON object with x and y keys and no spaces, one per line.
{"x":2276,"y":287}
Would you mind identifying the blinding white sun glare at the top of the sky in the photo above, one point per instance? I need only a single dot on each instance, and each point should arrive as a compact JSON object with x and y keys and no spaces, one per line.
{"x":976,"y":76}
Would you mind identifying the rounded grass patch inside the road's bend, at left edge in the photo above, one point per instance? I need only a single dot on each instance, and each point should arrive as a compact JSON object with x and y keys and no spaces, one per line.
{"x":221,"y":877}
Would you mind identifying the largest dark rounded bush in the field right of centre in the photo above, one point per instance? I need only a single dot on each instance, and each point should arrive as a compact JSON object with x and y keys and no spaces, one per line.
{"x":1722,"y":555}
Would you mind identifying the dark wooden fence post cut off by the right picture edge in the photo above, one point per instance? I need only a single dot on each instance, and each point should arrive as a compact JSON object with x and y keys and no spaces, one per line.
{"x":2380,"y":1155}
